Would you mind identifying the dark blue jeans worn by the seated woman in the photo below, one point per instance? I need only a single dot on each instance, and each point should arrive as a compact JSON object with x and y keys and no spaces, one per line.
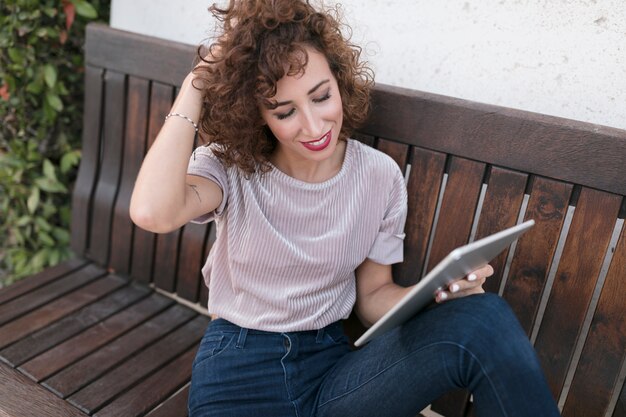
{"x":474,"y":342}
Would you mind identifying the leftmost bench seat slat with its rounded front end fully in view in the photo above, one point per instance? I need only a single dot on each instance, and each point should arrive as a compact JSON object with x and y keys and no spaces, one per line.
{"x":93,"y":338}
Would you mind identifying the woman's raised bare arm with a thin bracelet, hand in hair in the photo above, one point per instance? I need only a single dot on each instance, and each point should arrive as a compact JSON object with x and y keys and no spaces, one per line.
{"x":165,"y":197}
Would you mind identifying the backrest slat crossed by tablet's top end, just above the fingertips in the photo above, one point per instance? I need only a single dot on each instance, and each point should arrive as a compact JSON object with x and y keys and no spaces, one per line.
{"x":501,"y":206}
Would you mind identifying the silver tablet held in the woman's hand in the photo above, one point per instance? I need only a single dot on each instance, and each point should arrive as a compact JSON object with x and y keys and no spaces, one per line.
{"x":456,"y":265}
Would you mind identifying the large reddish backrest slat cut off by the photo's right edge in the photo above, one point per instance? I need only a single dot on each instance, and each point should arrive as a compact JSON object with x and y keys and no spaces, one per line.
{"x":604,"y":352}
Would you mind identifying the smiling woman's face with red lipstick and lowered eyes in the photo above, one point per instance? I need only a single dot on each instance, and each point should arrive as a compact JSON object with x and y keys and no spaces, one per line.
{"x":308,"y":118}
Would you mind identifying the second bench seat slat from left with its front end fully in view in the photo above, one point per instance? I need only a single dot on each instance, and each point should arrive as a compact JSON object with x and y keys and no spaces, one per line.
{"x":89,"y":368}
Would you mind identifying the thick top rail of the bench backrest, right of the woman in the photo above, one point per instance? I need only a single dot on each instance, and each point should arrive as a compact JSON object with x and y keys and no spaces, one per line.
{"x":549,"y":146}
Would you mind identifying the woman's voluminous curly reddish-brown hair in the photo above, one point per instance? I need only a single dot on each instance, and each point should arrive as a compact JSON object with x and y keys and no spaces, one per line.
{"x":262,"y":41}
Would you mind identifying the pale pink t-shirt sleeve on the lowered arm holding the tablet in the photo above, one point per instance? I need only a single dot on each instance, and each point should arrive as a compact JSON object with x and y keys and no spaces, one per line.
{"x":388,"y":248}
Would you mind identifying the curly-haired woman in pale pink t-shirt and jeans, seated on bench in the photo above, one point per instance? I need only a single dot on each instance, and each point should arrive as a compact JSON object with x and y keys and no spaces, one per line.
{"x":304,"y":235}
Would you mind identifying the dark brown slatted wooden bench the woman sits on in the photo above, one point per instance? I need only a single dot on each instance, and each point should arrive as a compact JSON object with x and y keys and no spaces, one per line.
{"x":114,"y":331}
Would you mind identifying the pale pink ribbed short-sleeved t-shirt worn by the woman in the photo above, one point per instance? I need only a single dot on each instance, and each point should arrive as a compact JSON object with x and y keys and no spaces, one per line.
{"x":286,"y":250}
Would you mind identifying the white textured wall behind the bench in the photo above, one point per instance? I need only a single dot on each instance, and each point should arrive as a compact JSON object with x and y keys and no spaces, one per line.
{"x":560,"y":57}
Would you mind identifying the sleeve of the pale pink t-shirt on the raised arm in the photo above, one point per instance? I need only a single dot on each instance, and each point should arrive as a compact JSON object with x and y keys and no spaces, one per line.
{"x":204,"y":163}
